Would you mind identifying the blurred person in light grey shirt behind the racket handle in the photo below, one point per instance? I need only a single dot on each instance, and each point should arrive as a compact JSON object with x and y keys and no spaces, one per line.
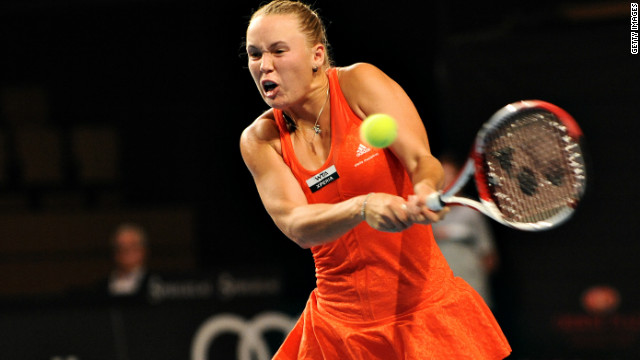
{"x":466,"y":240}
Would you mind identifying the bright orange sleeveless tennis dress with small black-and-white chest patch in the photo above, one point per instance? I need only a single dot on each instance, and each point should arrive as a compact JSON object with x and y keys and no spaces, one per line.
{"x":380,"y":295}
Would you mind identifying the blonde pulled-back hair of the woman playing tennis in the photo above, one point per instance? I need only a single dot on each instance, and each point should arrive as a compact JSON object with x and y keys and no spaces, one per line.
{"x":310,"y":23}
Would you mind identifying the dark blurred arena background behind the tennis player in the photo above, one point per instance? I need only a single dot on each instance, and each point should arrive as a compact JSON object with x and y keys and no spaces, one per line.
{"x":131,"y":110}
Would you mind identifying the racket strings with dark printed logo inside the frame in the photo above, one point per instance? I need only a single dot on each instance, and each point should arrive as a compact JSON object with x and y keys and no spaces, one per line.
{"x":535,"y":169}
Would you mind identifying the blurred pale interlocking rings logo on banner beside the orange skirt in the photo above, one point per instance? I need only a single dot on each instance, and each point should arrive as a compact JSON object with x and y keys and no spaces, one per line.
{"x":251,"y":343}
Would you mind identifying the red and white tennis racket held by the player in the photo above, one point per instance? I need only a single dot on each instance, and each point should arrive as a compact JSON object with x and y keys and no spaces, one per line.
{"x":528,"y":166}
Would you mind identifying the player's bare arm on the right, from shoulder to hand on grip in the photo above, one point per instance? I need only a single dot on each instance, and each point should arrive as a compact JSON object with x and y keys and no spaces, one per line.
{"x":369,"y":91}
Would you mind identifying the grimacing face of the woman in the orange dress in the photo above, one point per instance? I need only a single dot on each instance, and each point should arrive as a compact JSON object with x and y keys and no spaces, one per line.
{"x":280,"y":59}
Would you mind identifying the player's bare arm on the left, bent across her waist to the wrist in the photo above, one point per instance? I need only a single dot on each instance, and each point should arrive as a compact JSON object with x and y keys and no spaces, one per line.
{"x":306,"y":224}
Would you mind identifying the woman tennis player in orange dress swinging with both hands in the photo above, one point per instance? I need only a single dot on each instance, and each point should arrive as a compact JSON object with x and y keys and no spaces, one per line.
{"x":384,"y":290}
